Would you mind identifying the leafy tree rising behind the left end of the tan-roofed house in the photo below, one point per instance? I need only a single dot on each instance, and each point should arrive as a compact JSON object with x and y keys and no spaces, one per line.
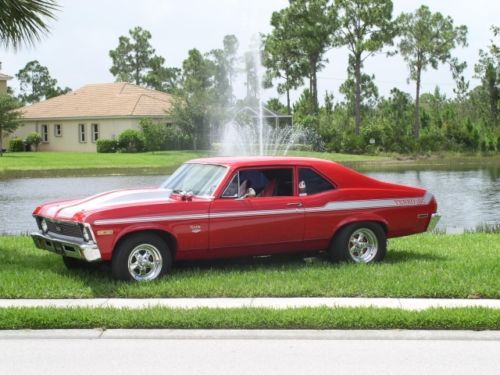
{"x":36,"y":83}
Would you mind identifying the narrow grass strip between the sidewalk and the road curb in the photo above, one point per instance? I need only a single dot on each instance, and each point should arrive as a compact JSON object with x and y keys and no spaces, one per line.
{"x":253,"y":318}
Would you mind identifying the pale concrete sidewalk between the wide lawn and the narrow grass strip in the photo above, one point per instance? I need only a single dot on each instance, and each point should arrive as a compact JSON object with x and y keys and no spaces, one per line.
{"x":415,"y":304}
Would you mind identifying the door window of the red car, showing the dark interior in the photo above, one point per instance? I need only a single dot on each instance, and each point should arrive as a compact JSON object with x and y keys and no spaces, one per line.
{"x":265,"y":182}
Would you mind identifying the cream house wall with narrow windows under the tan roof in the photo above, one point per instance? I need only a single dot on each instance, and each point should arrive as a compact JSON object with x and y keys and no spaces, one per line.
{"x":66,"y":135}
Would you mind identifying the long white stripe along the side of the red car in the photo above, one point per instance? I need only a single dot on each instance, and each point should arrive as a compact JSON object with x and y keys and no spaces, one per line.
{"x":330,"y":206}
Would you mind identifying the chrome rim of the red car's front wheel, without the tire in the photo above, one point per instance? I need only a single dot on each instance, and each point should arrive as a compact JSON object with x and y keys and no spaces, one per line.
{"x":145,"y":262}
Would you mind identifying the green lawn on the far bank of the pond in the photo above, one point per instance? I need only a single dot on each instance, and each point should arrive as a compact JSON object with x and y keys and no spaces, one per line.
{"x":108,"y":163}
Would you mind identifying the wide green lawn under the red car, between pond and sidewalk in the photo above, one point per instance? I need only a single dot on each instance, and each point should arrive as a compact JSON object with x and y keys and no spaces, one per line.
{"x":464,"y":266}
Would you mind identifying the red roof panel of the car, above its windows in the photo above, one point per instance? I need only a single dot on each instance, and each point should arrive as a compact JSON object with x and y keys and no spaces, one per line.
{"x":240,"y":161}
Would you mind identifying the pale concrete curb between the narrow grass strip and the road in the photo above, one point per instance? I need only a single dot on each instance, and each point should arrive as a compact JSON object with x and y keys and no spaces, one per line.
{"x":232,"y":334}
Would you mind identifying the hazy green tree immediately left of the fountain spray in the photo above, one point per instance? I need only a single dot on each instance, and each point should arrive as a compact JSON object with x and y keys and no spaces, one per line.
{"x":191,"y":108}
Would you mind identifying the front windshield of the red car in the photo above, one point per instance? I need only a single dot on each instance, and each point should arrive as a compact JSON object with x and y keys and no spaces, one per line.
{"x":197,"y":179}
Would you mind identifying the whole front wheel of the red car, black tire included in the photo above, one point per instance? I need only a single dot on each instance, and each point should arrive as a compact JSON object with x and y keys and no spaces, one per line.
{"x":147,"y":246}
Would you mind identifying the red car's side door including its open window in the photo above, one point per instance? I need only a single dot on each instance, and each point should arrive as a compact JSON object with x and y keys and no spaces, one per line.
{"x":269,"y":222}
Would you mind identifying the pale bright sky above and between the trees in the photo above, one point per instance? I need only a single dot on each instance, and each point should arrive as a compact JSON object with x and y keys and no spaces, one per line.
{"x":76,"y":51}
